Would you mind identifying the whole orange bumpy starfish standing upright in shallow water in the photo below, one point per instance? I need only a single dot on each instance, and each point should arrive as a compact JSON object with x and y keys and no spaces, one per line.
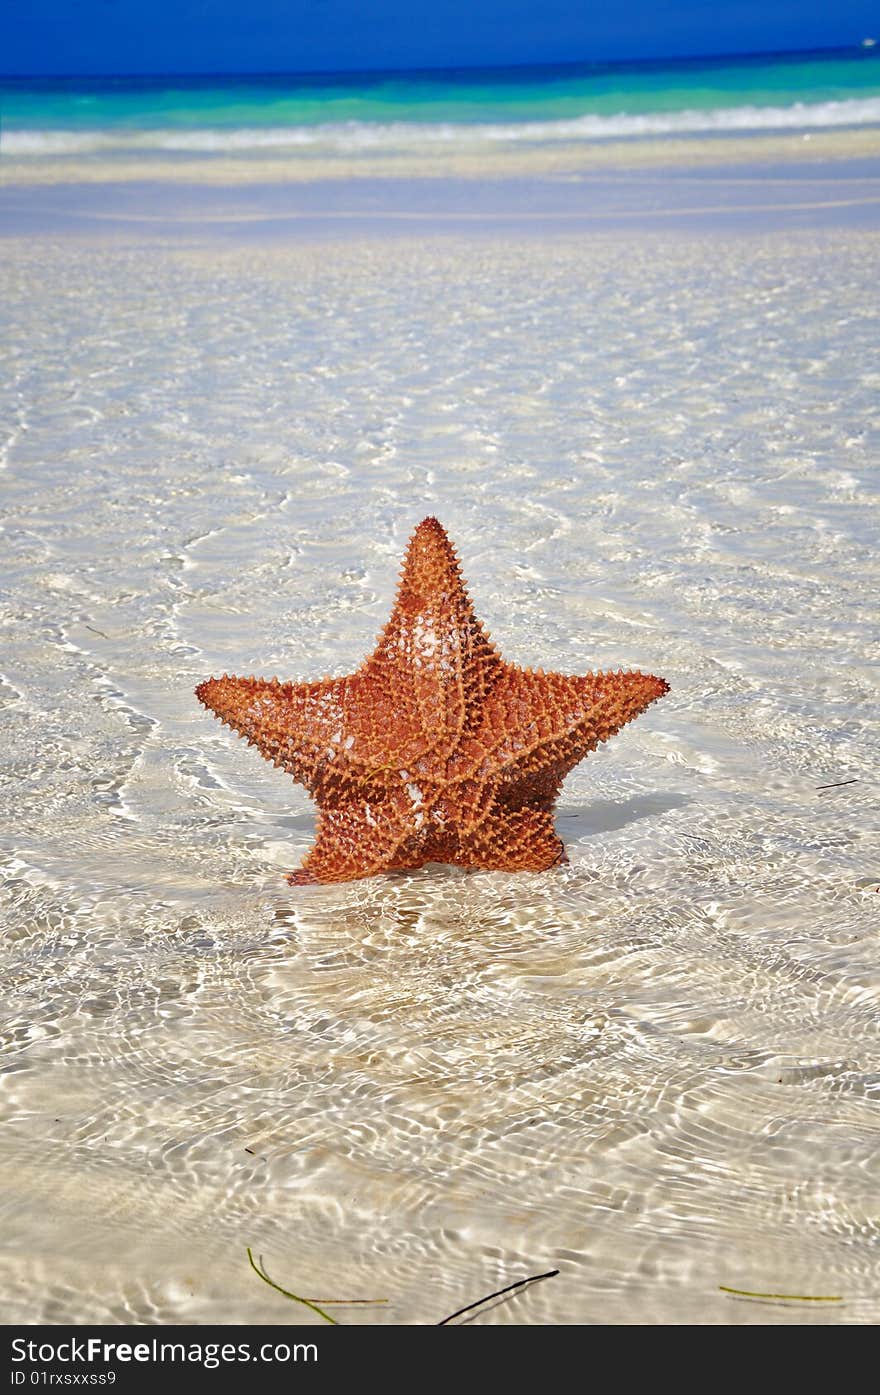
{"x":436,"y":750}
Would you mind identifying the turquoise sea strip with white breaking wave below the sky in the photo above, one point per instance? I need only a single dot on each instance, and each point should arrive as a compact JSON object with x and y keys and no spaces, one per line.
{"x":409,"y":111}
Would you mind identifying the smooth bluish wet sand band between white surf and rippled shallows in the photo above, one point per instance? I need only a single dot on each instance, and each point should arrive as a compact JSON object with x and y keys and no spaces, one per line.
{"x":670,"y":196}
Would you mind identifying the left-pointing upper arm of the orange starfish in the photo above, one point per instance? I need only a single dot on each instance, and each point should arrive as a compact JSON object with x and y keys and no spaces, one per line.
{"x":295,"y":726}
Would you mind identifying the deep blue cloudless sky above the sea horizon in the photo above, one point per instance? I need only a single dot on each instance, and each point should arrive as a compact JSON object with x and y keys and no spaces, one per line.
{"x":128,"y":37}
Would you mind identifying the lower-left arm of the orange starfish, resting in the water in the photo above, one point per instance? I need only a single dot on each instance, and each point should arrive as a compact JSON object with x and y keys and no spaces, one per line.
{"x":356,"y":842}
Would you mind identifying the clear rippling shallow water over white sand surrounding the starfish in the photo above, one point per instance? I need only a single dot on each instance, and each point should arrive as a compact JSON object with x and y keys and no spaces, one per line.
{"x":655,"y":1069}
